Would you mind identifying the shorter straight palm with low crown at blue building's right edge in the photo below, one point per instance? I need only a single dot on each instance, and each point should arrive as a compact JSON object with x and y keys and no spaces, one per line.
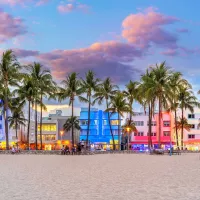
{"x":119,"y":105}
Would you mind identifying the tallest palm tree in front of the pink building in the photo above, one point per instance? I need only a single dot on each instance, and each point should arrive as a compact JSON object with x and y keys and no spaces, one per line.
{"x":161,"y":77}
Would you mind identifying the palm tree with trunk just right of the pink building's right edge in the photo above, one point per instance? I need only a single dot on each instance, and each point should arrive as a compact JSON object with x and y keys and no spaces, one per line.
{"x":176,"y":81}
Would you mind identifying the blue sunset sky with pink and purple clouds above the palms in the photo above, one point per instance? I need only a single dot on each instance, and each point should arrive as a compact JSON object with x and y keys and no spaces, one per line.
{"x":114,"y":38}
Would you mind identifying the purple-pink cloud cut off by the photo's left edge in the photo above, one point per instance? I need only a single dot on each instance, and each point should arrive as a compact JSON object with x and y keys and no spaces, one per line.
{"x":10,"y":27}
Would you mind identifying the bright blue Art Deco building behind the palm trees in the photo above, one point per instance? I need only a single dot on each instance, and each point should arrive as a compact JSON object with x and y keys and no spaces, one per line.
{"x":99,"y":130}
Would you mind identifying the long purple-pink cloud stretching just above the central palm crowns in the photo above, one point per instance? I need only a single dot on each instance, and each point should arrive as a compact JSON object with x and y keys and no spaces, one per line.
{"x":105,"y":59}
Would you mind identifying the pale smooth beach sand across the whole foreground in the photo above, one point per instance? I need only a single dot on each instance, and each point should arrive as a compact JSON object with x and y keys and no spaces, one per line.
{"x":100,"y":177}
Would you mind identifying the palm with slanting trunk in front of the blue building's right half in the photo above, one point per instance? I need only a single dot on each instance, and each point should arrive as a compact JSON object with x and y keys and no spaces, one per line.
{"x":106,"y":91}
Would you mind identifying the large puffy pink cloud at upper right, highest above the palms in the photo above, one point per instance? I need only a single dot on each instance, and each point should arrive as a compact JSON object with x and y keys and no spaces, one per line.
{"x":146,"y":28}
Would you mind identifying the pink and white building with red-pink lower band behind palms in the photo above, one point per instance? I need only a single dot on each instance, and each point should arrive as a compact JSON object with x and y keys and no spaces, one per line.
{"x":140,"y":139}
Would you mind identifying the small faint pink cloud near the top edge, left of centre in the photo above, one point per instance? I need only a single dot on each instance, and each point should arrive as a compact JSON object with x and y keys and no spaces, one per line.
{"x":72,"y":6}
